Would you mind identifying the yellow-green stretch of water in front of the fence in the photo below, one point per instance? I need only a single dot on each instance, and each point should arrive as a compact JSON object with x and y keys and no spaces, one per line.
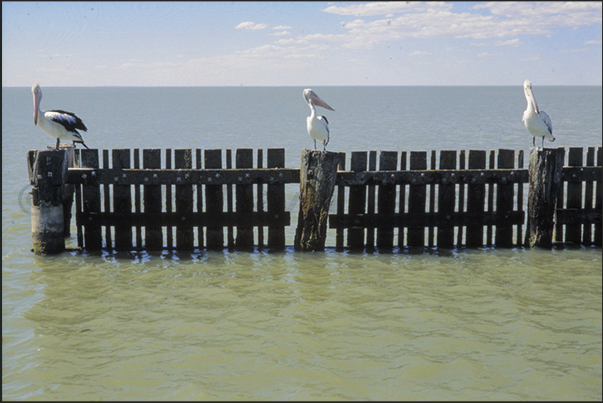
{"x":505,"y":324}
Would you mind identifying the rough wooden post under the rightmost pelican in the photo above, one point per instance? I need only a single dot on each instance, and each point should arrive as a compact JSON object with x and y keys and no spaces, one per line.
{"x":544,"y":179}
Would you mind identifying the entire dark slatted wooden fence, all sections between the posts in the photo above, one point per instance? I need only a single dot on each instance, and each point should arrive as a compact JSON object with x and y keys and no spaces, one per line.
{"x":186,"y":199}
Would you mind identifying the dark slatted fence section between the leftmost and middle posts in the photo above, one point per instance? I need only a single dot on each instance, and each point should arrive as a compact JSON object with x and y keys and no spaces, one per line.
{"x":145,"y":206}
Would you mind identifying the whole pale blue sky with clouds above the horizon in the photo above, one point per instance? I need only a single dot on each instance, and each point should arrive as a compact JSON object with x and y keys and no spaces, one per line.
{"x":300,"y":43}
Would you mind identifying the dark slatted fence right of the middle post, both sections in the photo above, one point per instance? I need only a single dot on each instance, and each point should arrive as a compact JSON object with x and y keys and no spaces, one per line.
{"x":469,"y":199}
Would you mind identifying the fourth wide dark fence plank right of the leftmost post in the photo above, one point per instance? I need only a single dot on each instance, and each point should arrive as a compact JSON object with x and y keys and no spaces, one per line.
{"x":183,"y":159}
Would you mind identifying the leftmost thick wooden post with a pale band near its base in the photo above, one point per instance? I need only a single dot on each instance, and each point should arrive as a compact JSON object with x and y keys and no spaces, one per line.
{"x":47,"y":174}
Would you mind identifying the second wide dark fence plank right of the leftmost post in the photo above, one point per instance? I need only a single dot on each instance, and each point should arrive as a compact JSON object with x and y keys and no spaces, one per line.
{"x":122,"y":201}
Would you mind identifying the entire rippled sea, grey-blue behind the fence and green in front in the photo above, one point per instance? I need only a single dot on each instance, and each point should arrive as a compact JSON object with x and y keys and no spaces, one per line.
{"x":422,"y":324}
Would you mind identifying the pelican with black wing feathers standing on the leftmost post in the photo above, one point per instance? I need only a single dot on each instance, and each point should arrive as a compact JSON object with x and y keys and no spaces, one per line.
{"x":56,"y":123}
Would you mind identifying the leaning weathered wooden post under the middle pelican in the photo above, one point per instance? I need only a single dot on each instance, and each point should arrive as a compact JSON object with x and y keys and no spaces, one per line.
{"x":317,"y":181}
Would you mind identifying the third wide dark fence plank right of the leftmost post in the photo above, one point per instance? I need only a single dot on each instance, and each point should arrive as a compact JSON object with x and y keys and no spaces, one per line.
{"x":151,"y":158}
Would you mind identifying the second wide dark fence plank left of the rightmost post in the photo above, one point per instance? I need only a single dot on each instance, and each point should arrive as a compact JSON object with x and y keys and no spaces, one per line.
{"x":476,"y":200}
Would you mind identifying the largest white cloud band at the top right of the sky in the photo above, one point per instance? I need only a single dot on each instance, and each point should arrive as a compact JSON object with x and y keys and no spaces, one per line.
{"x":437,"y":19}
